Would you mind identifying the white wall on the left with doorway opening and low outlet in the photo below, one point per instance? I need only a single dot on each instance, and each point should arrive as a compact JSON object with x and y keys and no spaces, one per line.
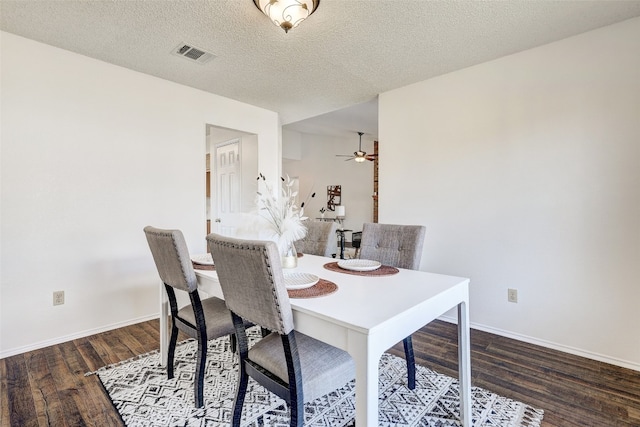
{"x":92,"y":153}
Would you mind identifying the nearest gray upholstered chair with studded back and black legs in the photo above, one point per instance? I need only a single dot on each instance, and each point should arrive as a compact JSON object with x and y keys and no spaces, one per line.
{"x":292,"y":365}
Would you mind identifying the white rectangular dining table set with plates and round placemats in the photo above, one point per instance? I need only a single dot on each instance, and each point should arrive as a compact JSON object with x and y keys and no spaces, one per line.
{"x":366,"y":316}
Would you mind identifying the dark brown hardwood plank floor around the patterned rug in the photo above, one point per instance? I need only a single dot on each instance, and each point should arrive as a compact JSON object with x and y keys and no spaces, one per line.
{"x":47,"y":387}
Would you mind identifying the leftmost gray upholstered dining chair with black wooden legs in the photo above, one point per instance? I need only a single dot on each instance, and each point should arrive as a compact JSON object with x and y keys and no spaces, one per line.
{"x":202,"y":319}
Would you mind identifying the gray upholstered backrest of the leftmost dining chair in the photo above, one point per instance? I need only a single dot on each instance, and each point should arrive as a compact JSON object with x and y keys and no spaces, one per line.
{"x":171,"y":256}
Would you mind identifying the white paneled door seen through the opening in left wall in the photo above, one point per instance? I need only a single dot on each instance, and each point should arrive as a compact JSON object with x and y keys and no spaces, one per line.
{"x":228,"y":185}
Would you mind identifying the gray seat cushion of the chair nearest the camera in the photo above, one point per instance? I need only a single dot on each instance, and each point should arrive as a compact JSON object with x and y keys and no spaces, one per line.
{"x":324,"y":368}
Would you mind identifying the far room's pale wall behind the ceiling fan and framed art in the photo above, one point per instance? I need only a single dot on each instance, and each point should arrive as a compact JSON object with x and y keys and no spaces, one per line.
{"x":319,"y":167}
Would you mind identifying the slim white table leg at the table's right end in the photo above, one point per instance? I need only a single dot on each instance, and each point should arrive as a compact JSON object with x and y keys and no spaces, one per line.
{"x":464,"y":363}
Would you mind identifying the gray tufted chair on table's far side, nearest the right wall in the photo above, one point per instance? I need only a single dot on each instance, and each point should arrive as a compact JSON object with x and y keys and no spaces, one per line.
{"x":398,"y":246}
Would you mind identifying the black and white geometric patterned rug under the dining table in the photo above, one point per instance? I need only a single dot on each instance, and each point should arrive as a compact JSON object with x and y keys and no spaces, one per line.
{"x":142,"y":394}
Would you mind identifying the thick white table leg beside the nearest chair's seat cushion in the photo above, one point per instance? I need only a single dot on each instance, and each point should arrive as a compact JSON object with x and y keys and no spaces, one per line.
{"x":366,"y":362}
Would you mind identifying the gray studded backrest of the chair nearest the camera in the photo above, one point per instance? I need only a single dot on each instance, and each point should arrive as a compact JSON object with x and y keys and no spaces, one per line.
{"x":250,"y":275}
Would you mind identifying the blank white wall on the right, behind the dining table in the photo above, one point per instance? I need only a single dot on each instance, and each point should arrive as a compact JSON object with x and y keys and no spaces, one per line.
{"x":526,"y":172}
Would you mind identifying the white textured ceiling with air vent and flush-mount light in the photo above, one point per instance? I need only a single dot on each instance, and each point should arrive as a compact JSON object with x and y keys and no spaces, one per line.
{"x":344,"y":54}
